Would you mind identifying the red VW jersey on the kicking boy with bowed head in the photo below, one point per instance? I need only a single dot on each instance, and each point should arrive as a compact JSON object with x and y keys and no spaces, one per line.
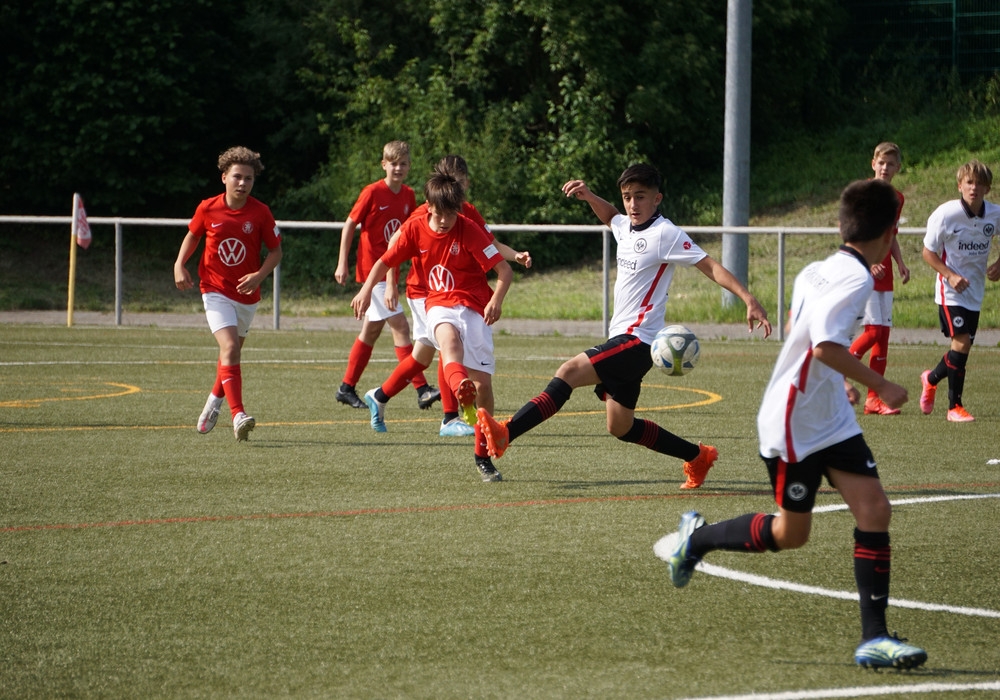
{"x":455,"y":262}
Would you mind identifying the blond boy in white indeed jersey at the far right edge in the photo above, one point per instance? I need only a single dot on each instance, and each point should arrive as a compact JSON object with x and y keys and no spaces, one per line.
{"x":957,"y":246}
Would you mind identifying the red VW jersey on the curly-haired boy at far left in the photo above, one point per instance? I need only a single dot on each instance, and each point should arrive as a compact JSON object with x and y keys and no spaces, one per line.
{"x":234,"y":239}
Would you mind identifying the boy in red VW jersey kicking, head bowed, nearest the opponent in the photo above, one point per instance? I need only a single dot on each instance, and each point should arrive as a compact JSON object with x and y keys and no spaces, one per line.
{"x":456,"y":254}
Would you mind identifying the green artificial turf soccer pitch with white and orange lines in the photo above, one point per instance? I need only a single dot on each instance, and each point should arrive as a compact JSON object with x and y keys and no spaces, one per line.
{"x":141,"y":559}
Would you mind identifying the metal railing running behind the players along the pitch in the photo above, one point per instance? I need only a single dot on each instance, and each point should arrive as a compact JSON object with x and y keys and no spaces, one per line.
{"x":781,"y":231}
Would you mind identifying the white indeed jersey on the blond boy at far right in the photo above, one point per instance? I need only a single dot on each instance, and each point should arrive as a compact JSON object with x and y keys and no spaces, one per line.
{"x":963,"y":242}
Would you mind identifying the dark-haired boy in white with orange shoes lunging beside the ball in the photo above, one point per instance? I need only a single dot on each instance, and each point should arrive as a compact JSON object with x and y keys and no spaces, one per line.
{"x":649,"y":249}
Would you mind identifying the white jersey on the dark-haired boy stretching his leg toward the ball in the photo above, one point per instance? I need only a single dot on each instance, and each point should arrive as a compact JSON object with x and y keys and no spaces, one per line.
{"x":647,"y":259}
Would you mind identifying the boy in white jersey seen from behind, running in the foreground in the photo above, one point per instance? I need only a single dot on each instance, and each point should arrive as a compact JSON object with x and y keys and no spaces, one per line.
{"x":808,"y":429}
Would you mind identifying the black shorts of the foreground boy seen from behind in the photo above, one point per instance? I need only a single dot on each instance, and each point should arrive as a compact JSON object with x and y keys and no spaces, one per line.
{"x":795,"y":485}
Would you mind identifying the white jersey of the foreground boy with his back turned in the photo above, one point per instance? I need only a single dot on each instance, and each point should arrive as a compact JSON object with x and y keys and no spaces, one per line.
{"x":805,"y":407}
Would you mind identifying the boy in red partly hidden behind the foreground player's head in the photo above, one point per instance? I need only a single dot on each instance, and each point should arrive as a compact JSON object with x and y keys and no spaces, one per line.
{"x":886,"y":162}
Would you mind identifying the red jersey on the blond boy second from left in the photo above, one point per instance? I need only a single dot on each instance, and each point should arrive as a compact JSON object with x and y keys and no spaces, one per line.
{"x":379,"y":211}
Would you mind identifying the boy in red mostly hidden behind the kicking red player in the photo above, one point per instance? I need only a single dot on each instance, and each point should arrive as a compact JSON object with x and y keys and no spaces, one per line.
{"x":452,"y":424}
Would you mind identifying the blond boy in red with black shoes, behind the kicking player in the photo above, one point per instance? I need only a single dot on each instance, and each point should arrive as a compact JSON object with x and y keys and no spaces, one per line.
{"x":380,"y":210}
